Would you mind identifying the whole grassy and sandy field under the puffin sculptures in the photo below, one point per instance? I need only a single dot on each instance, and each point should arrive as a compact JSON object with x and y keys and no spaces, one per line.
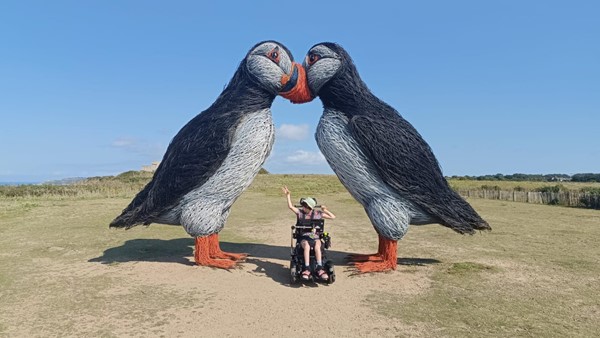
{"x":64,"y":273}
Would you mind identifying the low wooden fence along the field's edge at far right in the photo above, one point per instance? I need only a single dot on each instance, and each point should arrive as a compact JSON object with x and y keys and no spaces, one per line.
{"x":565,"y":198}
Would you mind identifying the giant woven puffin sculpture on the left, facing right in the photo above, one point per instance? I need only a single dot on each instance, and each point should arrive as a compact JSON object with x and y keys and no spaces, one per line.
{"x":217,"y":154}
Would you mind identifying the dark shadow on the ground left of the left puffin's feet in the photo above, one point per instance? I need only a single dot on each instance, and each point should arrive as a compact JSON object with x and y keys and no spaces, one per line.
{"x":150,"y":250}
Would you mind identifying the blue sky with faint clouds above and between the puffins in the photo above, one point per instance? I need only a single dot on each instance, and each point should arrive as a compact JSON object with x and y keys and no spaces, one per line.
{"x":93,"y":88}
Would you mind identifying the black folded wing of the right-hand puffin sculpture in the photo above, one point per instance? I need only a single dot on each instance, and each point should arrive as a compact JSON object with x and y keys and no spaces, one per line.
{"x":405,"y":161}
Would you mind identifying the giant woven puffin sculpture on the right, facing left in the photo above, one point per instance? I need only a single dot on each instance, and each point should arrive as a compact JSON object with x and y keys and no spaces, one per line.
{"x":380,"y":158}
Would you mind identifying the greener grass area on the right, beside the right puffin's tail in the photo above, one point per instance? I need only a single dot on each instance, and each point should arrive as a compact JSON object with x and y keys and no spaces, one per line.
{"x":534,"y":275}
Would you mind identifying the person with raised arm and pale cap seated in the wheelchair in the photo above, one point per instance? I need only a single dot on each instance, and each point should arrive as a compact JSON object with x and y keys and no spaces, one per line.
{"x":310,"y":239}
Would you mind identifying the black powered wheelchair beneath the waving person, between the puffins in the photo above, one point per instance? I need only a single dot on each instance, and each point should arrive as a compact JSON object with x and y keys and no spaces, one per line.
{"x":297,"y":252}
